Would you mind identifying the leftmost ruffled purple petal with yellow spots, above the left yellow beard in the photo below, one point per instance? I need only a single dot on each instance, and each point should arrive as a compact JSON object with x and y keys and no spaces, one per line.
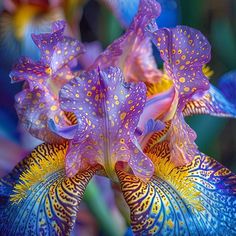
{"x":38,"y":102}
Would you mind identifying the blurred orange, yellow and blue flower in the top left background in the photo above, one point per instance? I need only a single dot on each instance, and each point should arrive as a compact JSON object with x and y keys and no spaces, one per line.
{"x":21,"y":18}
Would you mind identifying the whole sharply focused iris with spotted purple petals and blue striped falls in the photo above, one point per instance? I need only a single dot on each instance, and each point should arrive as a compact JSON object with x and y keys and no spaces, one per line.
{"x":122,"y":118}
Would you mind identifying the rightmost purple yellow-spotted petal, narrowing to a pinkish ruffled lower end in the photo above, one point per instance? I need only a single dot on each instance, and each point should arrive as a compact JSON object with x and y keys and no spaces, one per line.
{"x":185,"y":51}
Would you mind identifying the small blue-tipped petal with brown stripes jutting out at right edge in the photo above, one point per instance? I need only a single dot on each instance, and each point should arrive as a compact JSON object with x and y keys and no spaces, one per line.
{"x":211,"y":102}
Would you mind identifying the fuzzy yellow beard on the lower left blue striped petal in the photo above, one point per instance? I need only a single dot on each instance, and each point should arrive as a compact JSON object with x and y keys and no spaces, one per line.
{"x":39,"y":168}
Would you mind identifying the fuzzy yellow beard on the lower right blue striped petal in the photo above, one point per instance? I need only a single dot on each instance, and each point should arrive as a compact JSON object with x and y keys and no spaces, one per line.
{"x":177,"y":178}
